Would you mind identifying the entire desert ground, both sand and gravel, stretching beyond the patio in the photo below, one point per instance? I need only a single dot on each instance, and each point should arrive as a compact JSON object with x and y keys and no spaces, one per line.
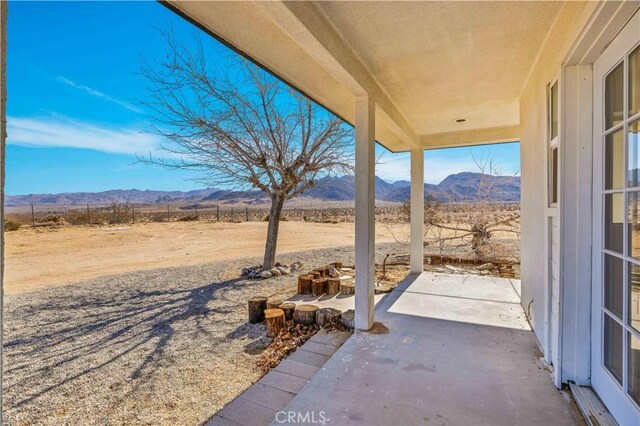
{"x":148,"y":321}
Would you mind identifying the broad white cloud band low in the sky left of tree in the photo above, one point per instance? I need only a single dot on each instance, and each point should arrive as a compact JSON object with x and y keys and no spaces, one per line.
{"x":59,"y":131}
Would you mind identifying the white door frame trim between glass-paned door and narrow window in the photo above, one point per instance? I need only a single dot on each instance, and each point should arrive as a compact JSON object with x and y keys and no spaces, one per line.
{"x":601,"y":26}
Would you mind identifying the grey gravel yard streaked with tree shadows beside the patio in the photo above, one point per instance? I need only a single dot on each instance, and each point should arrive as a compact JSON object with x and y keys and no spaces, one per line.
{"x":166,"y":346}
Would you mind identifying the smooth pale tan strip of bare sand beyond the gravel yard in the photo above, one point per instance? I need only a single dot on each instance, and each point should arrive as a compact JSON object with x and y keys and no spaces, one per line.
{"x":40,"y":258}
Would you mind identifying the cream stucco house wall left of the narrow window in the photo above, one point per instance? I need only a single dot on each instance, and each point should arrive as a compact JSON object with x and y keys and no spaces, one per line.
{"x":533,"y":138}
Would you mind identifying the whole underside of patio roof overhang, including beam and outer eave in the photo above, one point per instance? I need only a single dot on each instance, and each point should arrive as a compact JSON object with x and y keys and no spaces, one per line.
{"x":426,"y":64}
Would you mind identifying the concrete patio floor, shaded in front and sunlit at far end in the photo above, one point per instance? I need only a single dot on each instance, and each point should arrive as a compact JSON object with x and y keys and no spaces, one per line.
{"x":446,"y":349}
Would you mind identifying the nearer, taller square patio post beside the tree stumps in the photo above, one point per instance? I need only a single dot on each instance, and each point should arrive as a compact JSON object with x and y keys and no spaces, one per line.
{"x":365,"y":214}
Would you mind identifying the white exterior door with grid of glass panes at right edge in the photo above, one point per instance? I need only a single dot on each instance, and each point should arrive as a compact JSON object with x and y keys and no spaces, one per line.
{"x":615,"y":344}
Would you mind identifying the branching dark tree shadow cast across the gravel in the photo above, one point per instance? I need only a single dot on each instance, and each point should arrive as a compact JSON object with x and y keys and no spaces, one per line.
{"x":65,"y":338}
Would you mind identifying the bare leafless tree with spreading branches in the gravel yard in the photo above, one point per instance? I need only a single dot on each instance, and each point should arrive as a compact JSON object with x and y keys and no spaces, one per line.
{"x":243,"y":127}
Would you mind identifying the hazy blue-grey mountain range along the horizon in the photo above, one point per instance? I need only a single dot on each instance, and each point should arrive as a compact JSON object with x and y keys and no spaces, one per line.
{"x":457,"y":187}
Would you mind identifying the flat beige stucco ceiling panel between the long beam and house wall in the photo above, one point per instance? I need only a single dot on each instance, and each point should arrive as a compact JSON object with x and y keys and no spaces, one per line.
{"x":440,"y":61}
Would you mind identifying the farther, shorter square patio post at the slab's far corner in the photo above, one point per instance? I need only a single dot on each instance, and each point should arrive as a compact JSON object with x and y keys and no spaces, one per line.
{"x":416,"y":253}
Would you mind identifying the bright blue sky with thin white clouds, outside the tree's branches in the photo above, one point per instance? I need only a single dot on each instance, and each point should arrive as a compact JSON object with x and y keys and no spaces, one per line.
{"x":73,"y":120}
